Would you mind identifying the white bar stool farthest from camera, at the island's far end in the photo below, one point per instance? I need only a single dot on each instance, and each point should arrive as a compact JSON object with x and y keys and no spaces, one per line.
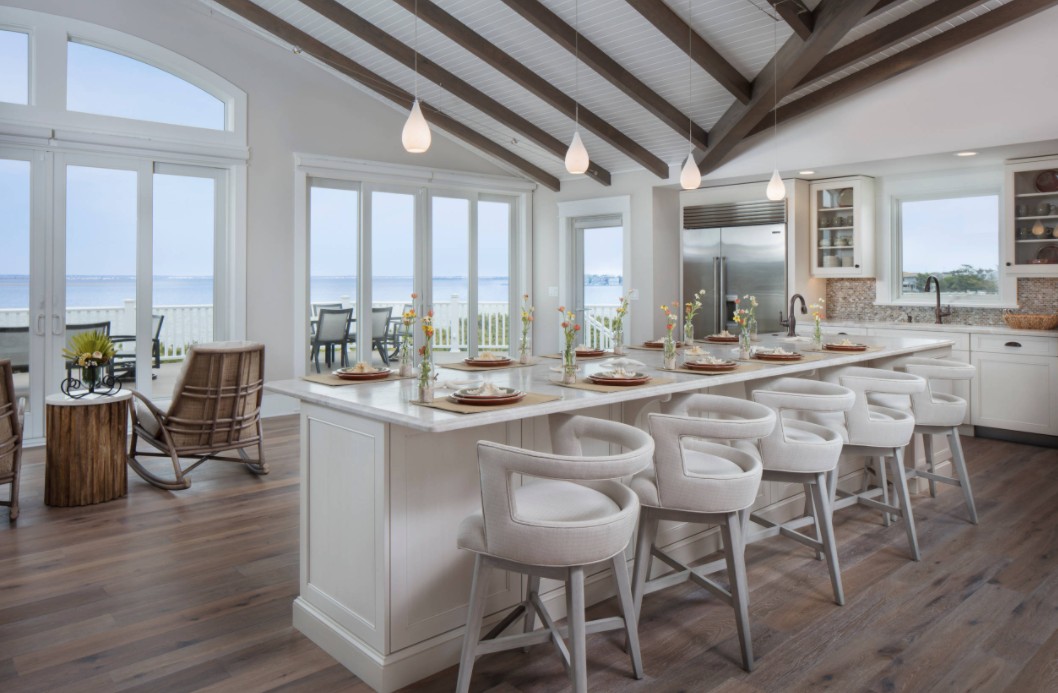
{"x":941,"y":414}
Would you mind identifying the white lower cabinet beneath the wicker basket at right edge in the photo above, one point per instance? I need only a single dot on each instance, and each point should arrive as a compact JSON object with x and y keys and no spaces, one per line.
{"x":1017,"y":385}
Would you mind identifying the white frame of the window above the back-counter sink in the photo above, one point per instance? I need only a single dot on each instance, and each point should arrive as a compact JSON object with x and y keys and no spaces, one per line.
{"x":936,"y":187}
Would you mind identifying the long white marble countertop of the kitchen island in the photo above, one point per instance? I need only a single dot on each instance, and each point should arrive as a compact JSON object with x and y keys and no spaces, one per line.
{"x":391,"y":402}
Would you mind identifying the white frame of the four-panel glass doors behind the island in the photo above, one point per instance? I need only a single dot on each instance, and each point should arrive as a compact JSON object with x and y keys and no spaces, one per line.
{"x":423,"y":183}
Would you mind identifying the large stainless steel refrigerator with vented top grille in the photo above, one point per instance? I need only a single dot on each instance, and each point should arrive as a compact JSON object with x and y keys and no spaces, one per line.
{"x":733,"y":251}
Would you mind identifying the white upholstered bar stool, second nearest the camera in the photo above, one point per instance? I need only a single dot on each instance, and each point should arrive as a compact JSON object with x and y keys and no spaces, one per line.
{"x":696,"y":479}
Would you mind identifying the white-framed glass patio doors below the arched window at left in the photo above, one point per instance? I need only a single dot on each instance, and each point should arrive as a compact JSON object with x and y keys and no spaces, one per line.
{"x":126,"y":246}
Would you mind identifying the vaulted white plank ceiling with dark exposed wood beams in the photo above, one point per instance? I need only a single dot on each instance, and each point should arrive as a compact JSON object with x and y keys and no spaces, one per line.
{"x":502,"y":75}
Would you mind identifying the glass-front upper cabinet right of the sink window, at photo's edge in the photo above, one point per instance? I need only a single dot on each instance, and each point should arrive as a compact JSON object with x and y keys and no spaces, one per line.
{"x":1032,"y":217}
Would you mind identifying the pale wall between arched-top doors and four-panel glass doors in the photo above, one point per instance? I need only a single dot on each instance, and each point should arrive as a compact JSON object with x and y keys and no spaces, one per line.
{"x":295,"y":106}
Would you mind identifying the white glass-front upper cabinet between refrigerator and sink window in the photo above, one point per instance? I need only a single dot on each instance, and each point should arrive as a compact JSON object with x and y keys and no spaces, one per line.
{"x":843,"y":228}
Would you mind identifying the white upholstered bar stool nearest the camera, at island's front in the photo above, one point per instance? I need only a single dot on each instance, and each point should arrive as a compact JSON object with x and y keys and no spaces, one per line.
{"x":553,"y":526}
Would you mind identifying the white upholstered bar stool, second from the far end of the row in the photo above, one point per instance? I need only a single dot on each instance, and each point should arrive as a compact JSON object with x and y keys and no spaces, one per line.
{"x":875,"y":431}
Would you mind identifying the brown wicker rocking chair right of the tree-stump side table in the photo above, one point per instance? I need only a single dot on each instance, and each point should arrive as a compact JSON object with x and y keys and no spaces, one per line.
{"x":215,"y":409}
